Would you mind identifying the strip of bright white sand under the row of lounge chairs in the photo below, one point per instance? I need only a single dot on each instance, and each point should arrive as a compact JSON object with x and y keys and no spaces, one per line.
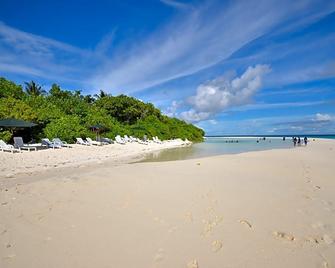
{"x":26,"y":162}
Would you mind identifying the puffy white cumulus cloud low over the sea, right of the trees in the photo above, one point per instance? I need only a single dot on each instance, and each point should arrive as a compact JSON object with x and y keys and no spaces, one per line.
{"x":222,"y":93}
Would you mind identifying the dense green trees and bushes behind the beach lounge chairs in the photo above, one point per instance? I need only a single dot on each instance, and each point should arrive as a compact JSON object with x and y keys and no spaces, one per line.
{"x":69,"y":114}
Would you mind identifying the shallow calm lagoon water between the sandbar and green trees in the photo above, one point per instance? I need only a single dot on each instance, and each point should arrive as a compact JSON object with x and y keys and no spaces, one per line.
{"x":218,"y":146}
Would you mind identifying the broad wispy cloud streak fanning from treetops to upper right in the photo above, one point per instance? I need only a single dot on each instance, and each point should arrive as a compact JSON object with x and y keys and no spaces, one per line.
{"x":194,"y":42}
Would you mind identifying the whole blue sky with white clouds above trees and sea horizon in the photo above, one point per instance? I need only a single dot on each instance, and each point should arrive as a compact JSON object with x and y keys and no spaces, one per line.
{"x":229,"y":67}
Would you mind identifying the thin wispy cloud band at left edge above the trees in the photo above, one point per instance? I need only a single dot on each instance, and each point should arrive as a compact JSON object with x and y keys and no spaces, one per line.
{"x":36,"y":56}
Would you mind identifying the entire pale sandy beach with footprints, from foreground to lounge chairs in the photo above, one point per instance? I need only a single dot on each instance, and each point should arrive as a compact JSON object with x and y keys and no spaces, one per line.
{"x":271,"y":208}
